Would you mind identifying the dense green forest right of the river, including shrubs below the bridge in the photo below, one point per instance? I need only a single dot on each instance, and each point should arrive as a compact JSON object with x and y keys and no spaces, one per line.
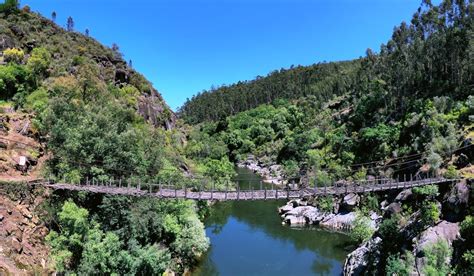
{"x":407,"y":109}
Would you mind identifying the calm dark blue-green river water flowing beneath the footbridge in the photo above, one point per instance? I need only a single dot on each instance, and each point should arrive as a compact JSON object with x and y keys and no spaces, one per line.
{"x":247,"y":238}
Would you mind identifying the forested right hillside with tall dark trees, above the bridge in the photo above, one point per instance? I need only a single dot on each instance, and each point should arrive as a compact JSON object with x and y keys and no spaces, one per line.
{"x":414,"y":96}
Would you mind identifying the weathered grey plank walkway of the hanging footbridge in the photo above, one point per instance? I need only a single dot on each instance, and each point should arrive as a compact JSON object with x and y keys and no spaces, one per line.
{"x":168,"y":192}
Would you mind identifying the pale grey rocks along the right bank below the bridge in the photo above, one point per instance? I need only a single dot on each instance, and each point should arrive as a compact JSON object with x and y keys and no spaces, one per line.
{"x":367,"y":257}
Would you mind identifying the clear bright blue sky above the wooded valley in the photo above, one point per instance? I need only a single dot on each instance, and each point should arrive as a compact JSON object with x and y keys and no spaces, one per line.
{"x":185,"y":46}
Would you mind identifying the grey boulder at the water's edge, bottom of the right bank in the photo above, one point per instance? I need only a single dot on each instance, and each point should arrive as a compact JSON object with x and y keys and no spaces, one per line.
{"x":365,"y":257}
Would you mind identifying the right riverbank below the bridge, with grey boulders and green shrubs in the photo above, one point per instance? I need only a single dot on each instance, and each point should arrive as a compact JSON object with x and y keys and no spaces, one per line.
{"x":412,"y":229}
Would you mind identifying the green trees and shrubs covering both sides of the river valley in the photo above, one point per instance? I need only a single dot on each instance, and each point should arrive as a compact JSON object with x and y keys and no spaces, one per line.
{"x":95,"y":116}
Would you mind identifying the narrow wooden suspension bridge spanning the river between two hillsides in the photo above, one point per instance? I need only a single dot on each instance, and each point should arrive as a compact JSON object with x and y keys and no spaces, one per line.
{"x":235,"y":193}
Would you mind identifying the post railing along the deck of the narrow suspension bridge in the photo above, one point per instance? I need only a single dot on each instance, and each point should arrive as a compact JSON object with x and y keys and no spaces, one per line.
{"x":232,"y":190}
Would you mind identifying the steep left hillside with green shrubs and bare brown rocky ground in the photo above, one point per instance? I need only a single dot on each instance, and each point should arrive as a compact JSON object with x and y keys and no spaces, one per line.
{"x":76,"y":110}
